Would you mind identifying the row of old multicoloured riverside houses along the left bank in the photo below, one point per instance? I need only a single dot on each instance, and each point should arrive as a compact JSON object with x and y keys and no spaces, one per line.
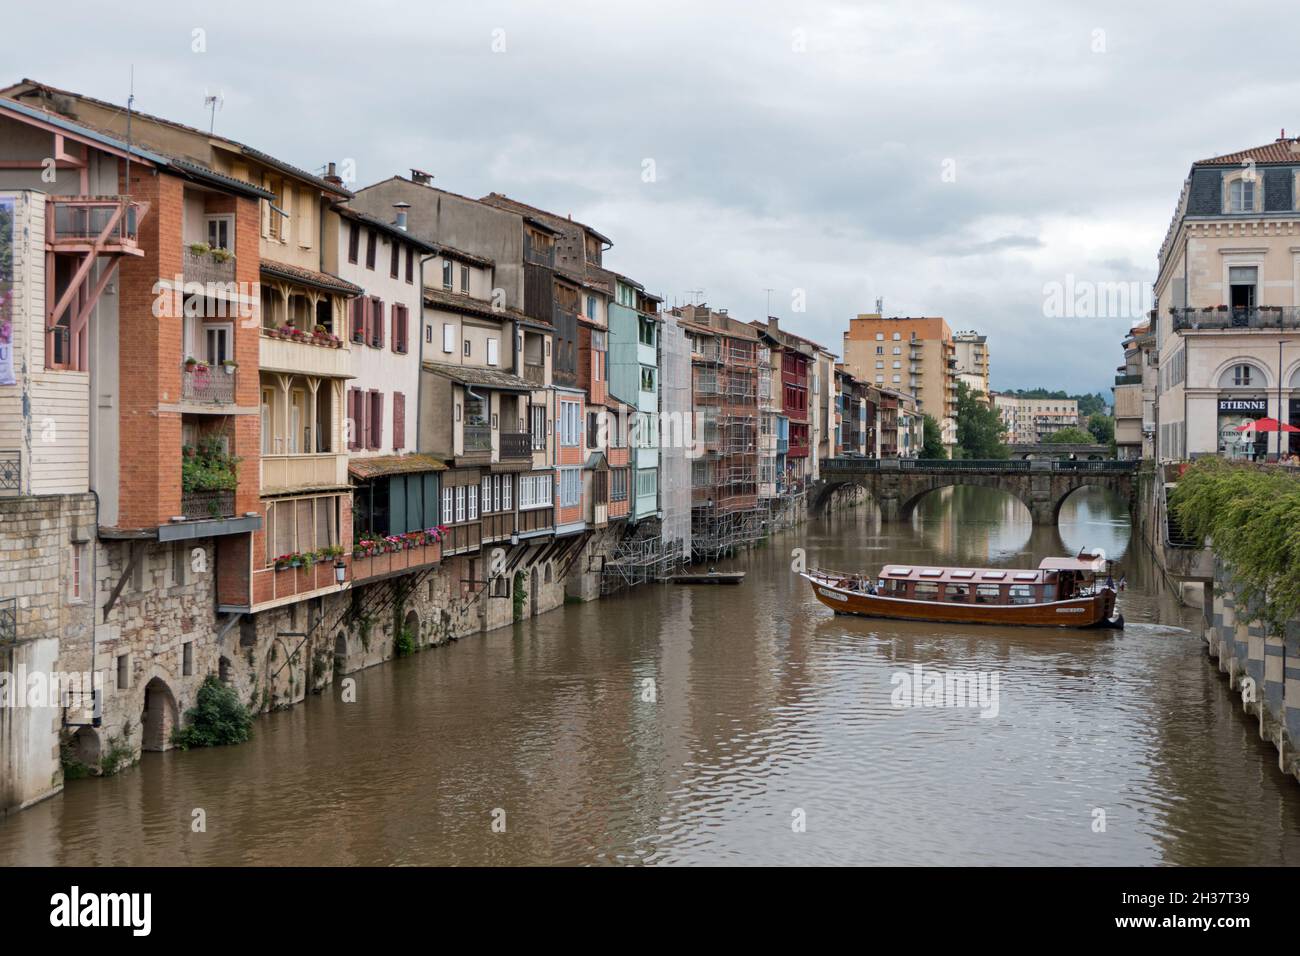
{"x":259,"y":425}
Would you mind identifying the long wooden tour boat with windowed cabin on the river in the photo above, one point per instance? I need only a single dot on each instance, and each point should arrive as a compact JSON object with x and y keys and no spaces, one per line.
{"x":1061,"y":592}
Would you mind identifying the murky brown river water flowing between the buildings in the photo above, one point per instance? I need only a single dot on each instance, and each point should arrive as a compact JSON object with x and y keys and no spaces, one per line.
{"x":772,"y":738}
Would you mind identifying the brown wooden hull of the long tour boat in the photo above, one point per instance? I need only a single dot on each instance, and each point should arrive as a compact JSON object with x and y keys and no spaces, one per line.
{"x":1094,"y":611}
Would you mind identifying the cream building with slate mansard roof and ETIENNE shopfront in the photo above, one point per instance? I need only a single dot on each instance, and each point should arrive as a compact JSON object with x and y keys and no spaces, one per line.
{"x":1228,"y":306}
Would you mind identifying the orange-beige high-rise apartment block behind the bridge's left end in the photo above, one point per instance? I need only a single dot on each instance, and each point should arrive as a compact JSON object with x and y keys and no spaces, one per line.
{"x":913,"y":356}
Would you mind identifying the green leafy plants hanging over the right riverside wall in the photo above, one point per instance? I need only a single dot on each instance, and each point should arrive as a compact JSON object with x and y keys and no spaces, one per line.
{"x":1253,"y":516}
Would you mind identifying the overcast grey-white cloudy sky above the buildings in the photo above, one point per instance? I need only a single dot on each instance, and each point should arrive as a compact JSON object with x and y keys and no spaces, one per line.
{"x":954,"y":159}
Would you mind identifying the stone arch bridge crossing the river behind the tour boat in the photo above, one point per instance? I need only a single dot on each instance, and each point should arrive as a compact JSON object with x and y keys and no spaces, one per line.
{"x":898,"y":485}
